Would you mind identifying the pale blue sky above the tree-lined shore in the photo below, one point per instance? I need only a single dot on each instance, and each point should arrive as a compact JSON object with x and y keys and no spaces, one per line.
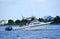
{"x":15,"y":9}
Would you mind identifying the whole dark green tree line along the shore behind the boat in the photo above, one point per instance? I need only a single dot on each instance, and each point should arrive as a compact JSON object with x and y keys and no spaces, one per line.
{"x":56,"y":20}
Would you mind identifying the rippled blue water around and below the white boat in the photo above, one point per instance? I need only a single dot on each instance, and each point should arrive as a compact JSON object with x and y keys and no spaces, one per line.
{"x":51,"y":32}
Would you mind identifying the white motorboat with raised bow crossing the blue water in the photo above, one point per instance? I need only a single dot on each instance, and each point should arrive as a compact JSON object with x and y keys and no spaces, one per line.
{"x":35,"y":25}
